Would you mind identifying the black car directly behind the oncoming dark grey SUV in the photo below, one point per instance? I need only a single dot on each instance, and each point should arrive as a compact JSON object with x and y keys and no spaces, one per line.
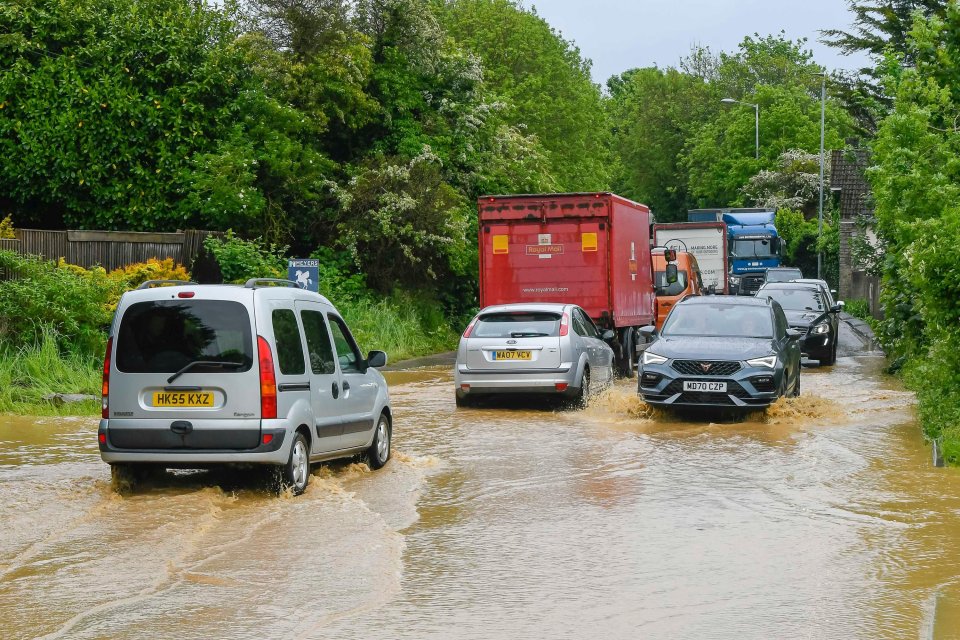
{"x":809,"y":310}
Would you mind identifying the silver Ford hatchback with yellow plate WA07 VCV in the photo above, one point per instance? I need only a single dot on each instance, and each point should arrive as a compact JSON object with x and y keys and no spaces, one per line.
{"x":552,"y":349}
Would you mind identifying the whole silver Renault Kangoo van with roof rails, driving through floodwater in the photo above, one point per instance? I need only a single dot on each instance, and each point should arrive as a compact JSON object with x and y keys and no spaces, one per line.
{"x":265,"y":373}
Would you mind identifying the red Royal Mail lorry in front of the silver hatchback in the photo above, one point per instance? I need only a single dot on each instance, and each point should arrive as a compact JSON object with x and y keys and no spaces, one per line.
{"x":589,"y":249}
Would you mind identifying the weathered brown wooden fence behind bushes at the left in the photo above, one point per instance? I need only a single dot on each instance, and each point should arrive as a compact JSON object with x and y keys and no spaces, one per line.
{"x":109,"y":249}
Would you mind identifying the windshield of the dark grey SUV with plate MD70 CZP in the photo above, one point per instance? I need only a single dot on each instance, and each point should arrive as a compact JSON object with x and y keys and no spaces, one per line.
{"x":719,"y":320}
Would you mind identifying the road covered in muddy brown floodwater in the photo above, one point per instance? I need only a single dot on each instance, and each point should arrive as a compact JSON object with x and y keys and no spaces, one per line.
{"x":820,"y":518}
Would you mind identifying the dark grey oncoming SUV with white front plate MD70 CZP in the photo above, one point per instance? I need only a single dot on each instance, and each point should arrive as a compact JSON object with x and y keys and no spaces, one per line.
{"x":721,"y":352}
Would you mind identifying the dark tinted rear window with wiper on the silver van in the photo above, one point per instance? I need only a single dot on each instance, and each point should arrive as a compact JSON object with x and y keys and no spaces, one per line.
{"x":163,"y":336}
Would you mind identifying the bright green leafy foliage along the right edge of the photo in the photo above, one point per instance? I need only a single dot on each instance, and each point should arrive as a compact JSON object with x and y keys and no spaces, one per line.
{"x":916,"y":188}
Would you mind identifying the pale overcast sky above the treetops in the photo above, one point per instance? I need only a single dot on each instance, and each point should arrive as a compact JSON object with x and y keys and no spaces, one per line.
{"x":621,"y":34}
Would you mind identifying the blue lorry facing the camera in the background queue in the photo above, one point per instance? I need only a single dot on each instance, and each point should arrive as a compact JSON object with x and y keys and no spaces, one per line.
{"x":753,"y":244}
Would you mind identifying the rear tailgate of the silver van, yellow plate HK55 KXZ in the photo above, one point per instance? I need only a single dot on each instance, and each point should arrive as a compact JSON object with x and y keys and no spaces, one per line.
{"x":183,"y":373}
